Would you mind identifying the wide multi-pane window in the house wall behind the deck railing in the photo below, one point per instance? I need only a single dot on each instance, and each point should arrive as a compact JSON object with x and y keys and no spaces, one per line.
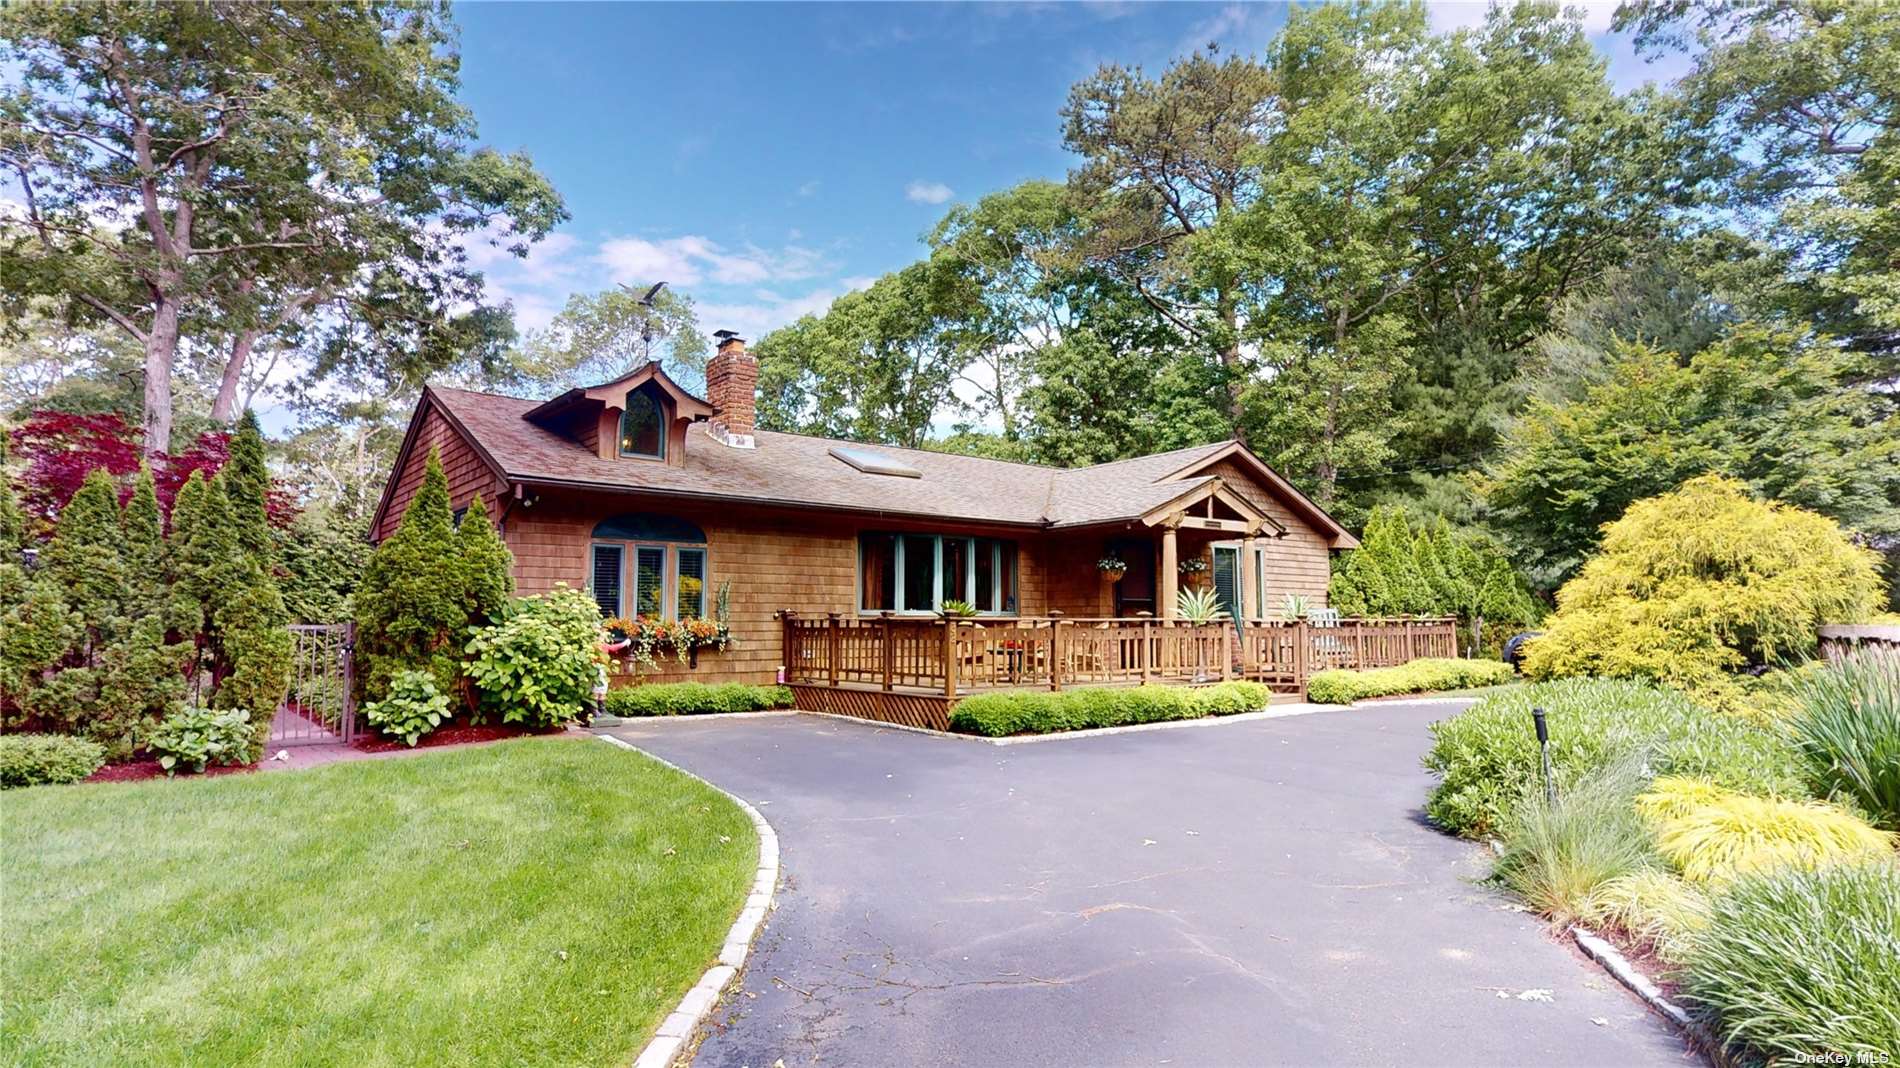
{"x":921,"y":573}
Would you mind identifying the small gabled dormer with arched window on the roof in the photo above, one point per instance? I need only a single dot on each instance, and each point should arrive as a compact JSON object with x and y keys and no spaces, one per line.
{"x":639,"y":417}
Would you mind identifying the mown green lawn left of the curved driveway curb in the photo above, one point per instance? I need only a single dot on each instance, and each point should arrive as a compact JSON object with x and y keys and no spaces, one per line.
{"x":541,"y":902}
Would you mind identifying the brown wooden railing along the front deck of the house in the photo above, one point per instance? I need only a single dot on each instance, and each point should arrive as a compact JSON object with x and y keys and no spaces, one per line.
{"x":960,"y":657}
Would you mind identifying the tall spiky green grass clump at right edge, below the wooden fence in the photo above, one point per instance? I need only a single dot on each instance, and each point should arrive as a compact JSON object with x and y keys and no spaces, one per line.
{"x":1848,"y":733}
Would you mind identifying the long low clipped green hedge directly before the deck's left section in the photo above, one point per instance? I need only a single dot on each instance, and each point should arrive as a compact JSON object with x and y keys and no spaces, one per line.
{"x":998,"y":715}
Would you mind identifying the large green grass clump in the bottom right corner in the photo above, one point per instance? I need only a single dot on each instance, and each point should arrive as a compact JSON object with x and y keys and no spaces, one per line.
{"x":1802,"y":961}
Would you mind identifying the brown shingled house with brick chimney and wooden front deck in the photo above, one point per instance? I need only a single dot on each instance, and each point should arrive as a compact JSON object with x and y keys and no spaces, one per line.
{"x":839,"y":558}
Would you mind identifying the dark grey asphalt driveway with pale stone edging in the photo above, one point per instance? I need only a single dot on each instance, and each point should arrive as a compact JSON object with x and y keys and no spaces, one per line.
{"x":1236,"y":894}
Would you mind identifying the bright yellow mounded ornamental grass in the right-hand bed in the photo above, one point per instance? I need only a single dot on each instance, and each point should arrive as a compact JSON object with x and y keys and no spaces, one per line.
{"x":1715,"y":835}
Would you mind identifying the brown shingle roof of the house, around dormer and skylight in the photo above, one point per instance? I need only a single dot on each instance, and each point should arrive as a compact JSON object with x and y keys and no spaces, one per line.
{"x":793,"y":468}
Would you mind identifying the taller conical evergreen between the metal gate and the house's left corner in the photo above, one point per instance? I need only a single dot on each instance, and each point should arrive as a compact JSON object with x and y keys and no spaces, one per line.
{"x":413,"y":607}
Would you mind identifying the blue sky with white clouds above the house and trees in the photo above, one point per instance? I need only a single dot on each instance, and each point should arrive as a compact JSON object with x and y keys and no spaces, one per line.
{"x":769,"y":157}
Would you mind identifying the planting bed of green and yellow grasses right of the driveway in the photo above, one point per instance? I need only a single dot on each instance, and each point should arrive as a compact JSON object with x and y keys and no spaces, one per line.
{"x":1741,"y":868}
